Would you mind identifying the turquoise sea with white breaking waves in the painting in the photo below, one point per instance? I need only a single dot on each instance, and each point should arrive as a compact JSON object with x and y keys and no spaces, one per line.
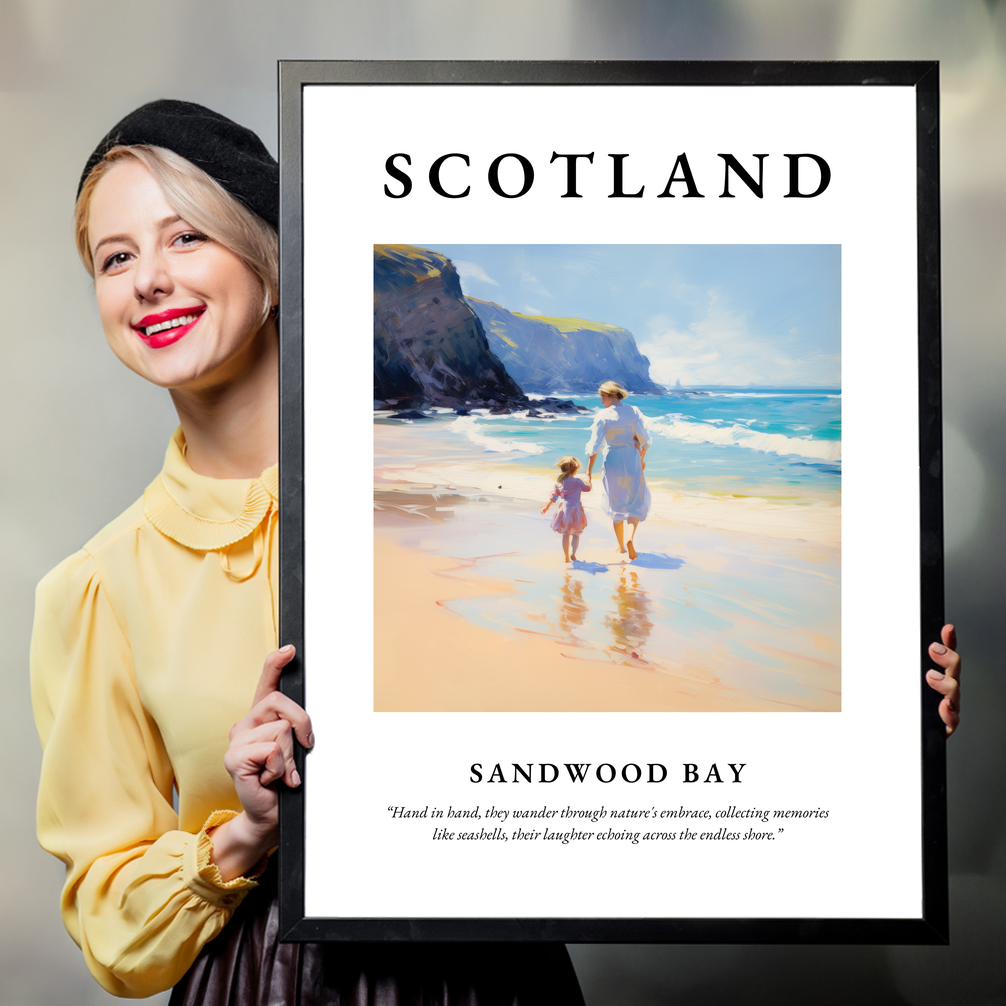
{"x":743,"y":438}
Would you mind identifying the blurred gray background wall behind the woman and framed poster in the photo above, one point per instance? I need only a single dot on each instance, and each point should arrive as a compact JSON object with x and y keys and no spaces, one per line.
{"x":82,"y":437}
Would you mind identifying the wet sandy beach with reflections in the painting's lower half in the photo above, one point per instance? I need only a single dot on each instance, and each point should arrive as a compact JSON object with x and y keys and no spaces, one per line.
{"x":733,"y":603}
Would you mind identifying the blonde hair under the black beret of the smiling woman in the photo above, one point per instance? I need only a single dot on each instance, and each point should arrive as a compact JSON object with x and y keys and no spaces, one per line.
{"x":201,"y":202}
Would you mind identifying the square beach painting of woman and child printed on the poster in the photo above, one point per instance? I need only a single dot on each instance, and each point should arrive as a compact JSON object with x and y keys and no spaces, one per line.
{"x":732,"y":601}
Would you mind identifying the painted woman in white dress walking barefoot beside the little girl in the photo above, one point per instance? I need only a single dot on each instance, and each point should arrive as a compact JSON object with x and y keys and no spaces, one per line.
{"x":620,"y":430}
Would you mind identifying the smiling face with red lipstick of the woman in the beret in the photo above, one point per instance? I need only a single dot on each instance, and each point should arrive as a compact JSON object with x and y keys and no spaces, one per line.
{"x":178,"y":308}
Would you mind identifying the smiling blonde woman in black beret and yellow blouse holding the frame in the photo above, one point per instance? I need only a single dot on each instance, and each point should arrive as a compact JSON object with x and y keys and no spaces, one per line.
{"x":150,"y":642}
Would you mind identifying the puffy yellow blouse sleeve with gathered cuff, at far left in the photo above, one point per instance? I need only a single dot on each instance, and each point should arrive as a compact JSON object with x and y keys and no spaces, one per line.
{"x":141,"y":898}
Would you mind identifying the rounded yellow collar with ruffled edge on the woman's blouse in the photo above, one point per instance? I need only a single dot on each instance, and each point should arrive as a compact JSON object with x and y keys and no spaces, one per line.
{"x":204,"y":514}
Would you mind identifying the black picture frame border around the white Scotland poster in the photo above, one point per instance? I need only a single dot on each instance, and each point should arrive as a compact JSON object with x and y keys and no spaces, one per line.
{"x":932,"y":925}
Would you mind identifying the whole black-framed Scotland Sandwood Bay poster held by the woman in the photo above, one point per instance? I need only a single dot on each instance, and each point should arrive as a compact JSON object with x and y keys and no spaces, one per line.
{"x":717,"y":738}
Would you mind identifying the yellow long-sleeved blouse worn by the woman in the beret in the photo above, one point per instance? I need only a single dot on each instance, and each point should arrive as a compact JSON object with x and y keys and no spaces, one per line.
{"x":147,"y":647}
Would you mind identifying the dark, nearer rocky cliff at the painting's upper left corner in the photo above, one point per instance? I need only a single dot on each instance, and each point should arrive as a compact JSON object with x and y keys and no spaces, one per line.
{"x":430,"y":348}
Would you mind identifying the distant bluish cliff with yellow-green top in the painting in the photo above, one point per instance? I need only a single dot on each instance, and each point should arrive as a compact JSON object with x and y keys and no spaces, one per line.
{"x":568,"y":356}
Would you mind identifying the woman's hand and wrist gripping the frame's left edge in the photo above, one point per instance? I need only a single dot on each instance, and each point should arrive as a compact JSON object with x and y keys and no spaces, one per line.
{"x":261,"y":754}
